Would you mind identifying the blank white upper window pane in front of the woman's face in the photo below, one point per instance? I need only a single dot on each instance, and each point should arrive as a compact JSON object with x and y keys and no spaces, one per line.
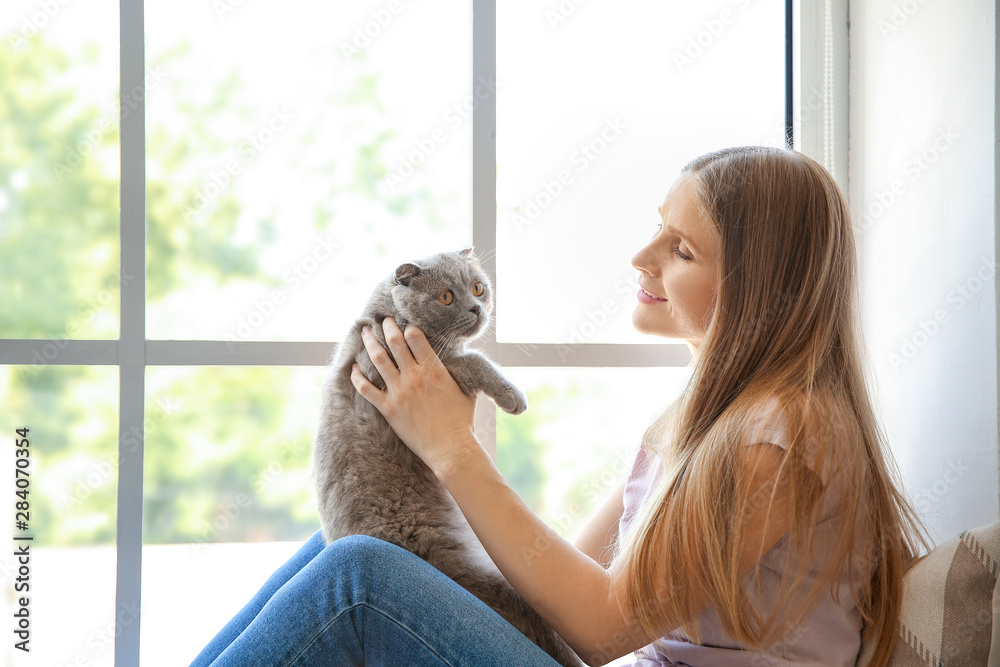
{"x":597,"y":111}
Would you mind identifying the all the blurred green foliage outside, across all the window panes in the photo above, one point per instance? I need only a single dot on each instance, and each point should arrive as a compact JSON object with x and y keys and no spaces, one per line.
{"x":227,"y":450}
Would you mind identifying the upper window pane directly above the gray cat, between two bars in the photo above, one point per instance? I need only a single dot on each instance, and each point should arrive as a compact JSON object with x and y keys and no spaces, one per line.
{"x":297,"y":152}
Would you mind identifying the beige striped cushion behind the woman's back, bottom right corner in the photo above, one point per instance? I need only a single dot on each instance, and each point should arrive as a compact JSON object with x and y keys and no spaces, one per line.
{"x":951,"y":606}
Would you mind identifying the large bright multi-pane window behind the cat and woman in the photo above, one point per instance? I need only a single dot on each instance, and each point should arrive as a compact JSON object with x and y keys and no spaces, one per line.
{"x":274,"y":165}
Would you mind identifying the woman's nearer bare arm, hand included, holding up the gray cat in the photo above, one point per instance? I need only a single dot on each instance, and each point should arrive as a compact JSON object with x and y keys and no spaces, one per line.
{"x":570,"y":590}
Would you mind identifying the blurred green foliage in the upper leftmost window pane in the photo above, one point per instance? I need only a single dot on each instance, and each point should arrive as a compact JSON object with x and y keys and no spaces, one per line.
{"x":59,"y":204}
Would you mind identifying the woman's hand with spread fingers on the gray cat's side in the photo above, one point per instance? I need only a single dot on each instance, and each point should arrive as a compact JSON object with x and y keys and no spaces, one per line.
{"x":422,"y":402}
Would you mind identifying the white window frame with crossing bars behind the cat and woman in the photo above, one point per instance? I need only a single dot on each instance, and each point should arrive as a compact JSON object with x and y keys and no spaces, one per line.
{"x":818,"y":124}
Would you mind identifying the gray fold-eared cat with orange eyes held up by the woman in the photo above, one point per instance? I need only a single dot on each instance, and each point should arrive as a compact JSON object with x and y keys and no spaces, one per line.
{"x":368,"y":482}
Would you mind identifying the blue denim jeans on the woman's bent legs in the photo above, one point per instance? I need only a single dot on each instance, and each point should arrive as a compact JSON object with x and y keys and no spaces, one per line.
{"x":362,"y":601}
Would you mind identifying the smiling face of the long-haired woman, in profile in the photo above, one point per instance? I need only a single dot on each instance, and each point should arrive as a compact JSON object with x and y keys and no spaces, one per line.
{"x":678,"y":270}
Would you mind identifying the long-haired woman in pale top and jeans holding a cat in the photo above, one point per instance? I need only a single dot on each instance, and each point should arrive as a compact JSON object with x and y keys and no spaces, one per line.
{"x":760,"y":524}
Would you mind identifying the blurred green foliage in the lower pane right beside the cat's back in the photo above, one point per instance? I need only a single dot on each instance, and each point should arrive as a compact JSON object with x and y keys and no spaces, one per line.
{"x":226,"y":466}
